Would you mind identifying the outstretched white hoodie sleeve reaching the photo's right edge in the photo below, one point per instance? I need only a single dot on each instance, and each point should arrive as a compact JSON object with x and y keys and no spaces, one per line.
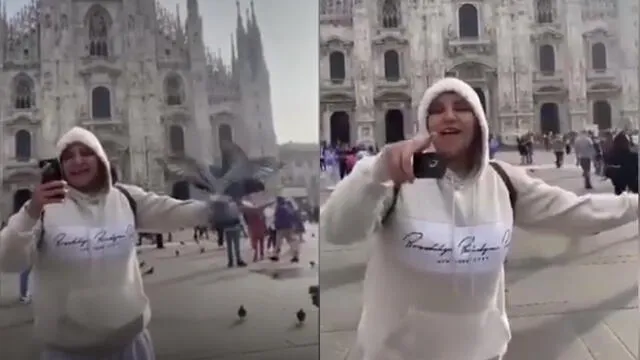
{"x":541,"y":206}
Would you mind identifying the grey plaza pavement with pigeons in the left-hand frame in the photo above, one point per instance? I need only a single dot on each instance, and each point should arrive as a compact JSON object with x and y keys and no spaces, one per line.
{"x":195,"y":298}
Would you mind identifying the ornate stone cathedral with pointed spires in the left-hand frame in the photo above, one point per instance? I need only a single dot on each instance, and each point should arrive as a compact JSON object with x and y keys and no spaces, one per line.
{"x":136,"y":75}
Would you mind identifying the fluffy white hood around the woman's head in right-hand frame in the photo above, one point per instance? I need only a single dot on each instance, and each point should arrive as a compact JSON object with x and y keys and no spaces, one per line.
{"x":463,"y":89}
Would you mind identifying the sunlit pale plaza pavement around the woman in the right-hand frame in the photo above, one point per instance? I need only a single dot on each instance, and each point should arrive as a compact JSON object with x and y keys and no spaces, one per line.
{"x":568,"y":299}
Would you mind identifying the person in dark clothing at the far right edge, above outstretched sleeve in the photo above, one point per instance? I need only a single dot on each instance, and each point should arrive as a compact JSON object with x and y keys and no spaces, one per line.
{"x":622,"y":165}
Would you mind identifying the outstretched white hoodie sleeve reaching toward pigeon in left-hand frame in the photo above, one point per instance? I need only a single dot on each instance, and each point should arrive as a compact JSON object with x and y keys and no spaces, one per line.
{"x":163,"y":213}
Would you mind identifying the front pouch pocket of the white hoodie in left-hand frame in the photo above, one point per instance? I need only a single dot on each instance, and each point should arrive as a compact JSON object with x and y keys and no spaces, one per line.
{"x":107,"y":309}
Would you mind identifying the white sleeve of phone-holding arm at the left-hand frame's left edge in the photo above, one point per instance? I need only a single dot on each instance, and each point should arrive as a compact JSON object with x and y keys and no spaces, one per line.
{"x":18,"y":242}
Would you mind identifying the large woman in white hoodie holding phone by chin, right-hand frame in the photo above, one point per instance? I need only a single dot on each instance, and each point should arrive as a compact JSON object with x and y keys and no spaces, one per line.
{"x":435,"y":271}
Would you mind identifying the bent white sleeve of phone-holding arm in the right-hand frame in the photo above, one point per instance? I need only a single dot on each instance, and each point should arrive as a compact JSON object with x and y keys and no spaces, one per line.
{"x":357,"y":204}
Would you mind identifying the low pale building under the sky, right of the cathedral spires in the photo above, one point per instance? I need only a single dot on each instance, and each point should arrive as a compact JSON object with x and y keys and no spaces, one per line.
{"x":300,"y":177}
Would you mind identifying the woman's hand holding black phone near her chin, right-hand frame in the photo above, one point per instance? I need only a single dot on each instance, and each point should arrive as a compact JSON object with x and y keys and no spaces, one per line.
{"x":398,"y":157}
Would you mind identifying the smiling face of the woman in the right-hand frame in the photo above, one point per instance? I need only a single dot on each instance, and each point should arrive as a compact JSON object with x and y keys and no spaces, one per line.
{"x":451,"y":117}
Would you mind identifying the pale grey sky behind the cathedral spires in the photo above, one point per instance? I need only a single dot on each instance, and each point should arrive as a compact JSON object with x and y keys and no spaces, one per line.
{"x":290,"y":39}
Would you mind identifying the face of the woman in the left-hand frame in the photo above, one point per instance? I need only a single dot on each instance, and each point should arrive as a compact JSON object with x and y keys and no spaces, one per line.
{"x":80,"y":166}
